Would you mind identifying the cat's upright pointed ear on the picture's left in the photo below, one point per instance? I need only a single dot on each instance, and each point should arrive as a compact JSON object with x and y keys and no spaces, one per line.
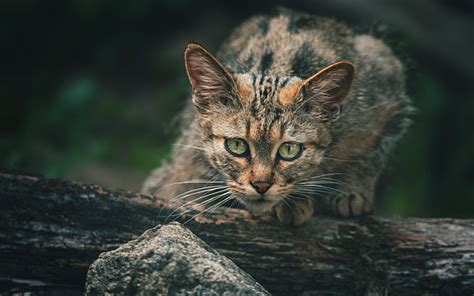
{"x":211,"y":81}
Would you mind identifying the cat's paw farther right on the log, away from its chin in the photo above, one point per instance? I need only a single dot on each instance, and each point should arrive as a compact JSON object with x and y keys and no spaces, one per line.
{"x":353,"y":205}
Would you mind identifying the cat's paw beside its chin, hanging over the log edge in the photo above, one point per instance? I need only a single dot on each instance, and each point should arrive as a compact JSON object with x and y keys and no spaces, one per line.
{"x":297,"y":213}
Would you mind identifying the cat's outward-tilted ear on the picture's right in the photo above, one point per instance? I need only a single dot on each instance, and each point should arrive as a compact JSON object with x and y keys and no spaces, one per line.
{"x":328,"y":88}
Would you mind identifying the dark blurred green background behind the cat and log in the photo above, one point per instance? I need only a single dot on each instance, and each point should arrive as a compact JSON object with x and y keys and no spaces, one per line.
{"x":90,"y":89}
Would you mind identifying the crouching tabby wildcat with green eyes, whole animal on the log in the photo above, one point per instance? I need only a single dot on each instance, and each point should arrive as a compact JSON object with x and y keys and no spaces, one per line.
{"x":295,"y":113}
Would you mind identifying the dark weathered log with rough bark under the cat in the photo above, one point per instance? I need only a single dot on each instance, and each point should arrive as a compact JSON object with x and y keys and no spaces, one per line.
{"x":52,"y":230}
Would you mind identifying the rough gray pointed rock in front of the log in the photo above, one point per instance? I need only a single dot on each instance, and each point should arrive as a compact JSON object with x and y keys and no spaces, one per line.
{"x":168,"y":260}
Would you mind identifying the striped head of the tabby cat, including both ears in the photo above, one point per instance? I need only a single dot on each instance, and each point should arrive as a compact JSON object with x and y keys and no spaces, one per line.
{"x":263,"y":133}
